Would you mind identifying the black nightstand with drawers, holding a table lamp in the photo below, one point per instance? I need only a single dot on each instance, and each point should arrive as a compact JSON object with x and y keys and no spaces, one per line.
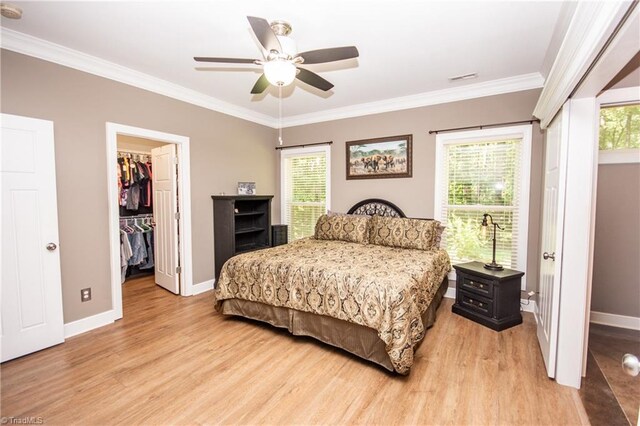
{"x":491,"y":298}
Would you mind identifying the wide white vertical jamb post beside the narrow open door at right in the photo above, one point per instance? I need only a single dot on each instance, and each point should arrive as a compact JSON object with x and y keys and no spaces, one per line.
{"x":576,"y":248}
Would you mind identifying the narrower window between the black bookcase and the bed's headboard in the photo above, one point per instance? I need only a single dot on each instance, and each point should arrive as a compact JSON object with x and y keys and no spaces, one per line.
{"x":305,"y":188}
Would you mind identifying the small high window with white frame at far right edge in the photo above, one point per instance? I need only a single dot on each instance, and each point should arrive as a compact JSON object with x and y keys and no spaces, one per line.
{"x":619,"y":140}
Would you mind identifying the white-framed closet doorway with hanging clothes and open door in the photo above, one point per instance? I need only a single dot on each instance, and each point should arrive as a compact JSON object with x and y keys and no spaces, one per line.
{"x":149,"y":209}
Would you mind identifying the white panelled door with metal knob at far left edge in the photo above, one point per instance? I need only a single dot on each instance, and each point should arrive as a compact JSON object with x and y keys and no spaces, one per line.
{"x":31,"y":290}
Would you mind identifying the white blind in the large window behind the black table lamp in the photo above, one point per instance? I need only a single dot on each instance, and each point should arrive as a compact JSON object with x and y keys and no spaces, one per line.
{"x":481,"y":177}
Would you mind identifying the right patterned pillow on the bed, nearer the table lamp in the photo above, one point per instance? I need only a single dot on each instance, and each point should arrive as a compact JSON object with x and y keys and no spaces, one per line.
{"x":404,"y":233}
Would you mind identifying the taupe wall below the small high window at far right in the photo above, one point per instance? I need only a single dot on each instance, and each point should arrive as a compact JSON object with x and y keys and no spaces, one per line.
{"x":616,"y":260}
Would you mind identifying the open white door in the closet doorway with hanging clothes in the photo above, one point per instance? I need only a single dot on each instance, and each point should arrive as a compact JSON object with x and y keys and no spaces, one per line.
{"x":165,"y":209}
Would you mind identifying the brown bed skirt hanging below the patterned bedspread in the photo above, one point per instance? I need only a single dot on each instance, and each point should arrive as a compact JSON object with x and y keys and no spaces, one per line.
{"x":357,"y":339}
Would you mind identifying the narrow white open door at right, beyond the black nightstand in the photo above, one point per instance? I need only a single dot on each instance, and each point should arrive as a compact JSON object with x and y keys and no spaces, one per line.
{"x":548,"y":303}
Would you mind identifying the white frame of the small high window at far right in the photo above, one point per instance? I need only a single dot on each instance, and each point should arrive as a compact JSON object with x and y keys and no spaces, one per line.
{"x":613,"y":98}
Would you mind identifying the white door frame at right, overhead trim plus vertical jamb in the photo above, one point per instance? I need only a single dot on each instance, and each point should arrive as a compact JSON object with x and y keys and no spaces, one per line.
{"x":583,"y":68}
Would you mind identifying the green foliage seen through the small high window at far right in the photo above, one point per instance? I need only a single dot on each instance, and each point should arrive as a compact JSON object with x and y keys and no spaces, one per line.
{"x":620,"y":127}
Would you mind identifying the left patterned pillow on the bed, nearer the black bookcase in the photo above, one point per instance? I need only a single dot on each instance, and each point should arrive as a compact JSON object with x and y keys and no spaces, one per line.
{"x":343,"y":227}
